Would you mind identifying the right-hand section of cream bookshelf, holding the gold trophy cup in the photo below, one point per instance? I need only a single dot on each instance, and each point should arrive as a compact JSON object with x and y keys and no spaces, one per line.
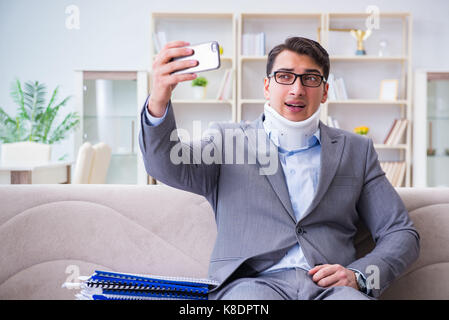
{"x":362,"y":78}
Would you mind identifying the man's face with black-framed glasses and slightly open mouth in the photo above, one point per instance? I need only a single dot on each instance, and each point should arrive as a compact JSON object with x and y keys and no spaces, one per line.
{"x":295,"y":102}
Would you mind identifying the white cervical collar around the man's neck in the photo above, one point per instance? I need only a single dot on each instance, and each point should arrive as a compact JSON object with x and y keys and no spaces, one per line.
{"x":290,"y":135}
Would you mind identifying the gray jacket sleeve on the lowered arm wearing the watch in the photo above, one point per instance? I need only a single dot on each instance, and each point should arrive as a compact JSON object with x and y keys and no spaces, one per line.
{"x":383,"y":212}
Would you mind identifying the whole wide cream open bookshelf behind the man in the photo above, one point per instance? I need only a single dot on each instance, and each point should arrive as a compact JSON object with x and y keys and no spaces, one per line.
{"x":362,"y":74}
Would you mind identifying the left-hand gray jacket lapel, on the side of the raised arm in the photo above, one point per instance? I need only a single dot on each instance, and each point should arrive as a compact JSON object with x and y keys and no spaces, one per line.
{"x":276,"y":180}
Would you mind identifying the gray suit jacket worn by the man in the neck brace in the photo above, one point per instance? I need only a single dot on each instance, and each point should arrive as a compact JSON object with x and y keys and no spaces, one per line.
{"x":255,"y":221}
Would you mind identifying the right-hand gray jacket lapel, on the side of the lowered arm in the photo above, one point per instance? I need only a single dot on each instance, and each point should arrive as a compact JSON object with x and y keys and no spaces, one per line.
{"x":331,"y":152}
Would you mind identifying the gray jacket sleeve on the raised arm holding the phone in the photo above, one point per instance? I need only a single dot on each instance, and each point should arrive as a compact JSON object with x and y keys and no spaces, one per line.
{"x":175,"y":163}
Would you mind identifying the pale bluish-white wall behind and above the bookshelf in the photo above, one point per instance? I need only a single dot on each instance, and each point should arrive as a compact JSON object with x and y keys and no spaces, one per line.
{"x":114,"y":34}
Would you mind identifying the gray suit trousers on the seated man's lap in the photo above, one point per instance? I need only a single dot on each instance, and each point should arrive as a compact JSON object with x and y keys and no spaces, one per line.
{"x":291,"y":284}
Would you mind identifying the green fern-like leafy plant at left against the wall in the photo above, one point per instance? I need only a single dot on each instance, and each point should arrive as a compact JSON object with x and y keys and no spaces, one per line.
{"x":35,"y":118}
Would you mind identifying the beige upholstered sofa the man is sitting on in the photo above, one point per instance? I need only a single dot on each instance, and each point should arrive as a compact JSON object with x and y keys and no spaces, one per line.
{"x":51,"y":233}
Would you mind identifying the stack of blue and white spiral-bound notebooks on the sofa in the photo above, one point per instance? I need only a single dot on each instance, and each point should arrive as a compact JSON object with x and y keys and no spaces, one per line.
{"x":106,"y":285}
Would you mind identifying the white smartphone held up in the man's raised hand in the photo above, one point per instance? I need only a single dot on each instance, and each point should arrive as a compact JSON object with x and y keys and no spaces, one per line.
{"x":208,"y":57}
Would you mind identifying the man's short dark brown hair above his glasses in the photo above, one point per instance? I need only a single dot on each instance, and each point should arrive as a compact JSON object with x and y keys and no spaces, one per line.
{"x":302,"y":46}
